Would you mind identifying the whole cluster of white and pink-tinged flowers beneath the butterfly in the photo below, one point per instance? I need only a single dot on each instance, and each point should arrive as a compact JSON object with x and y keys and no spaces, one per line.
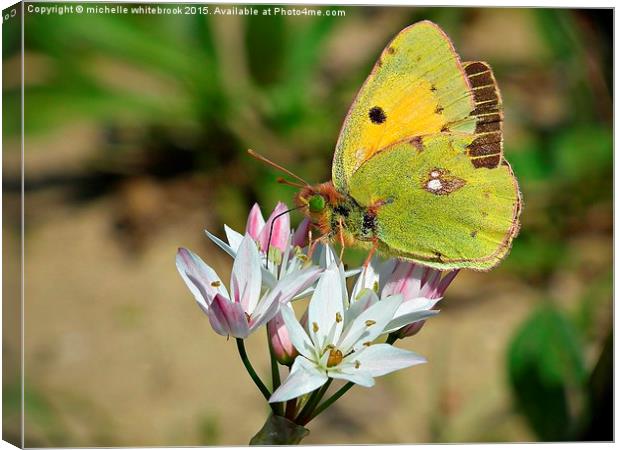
{"x":340,"y":334}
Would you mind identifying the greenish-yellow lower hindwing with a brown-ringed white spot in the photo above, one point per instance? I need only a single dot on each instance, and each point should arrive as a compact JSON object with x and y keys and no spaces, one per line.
{"x":434,"y":204}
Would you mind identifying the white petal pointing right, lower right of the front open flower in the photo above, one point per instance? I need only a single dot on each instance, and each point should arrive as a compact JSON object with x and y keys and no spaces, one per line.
{"x":381,"y":359}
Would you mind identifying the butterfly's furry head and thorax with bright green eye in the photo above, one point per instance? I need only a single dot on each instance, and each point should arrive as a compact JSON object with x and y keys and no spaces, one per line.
{"x":336,"y":215}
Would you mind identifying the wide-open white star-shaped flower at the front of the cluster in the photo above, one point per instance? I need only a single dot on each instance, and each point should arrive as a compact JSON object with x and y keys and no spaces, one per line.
{"x":338,"y":342}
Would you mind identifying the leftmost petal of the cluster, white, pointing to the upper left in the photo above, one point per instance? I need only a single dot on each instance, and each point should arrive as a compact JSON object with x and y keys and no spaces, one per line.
{"x":201,"y":279}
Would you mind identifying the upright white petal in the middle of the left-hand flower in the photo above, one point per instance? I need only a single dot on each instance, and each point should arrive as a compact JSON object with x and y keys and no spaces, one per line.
{"x":245,"y":280}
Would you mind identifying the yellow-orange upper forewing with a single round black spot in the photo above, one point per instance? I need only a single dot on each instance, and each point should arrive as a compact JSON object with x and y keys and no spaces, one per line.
{"x":417,"y":87}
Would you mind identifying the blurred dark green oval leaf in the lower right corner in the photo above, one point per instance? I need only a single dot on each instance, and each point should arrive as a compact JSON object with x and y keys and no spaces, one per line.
{"x":547,"y":373}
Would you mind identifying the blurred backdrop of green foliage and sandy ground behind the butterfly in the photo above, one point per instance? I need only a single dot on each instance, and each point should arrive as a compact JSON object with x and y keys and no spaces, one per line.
{"x":136,"y":136}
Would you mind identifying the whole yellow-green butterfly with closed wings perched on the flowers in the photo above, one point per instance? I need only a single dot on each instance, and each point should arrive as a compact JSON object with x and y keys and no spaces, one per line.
{"x":418,"y":171}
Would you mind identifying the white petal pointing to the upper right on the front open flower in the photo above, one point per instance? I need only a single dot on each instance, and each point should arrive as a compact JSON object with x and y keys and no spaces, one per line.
{"x":378,"y":315}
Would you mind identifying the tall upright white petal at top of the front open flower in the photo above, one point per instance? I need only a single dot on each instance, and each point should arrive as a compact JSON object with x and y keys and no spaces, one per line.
{"x":326,"y":308}
